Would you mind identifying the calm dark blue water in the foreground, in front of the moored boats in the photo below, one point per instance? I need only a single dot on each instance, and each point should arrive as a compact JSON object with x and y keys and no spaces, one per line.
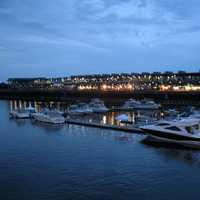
{"x":72,"y":162}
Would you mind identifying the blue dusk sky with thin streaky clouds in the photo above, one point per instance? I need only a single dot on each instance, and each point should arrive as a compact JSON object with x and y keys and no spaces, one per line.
{"x":68,"y":37}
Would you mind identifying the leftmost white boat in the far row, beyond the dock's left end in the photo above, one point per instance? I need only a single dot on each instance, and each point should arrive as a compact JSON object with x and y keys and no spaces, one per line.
{"x":80,"y":108}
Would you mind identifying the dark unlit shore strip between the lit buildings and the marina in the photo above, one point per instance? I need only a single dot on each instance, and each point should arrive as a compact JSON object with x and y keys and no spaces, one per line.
{"x":166,"y":98}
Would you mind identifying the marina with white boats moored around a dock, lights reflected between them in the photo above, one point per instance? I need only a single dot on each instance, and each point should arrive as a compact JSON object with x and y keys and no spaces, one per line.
{"x":159,"y":125}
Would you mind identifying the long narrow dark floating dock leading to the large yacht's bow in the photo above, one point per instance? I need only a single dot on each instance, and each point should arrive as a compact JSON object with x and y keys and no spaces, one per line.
{"x":106,"y":126}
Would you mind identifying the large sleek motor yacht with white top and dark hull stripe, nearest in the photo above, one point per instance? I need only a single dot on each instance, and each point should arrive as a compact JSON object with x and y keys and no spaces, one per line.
{"x":185,"y":132}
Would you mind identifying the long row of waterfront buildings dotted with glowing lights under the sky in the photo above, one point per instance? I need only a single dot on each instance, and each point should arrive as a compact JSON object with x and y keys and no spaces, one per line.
{"x":167,"y":81}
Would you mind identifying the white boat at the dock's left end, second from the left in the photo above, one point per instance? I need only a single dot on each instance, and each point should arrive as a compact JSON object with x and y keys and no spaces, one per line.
{"x":51,"y":117}
